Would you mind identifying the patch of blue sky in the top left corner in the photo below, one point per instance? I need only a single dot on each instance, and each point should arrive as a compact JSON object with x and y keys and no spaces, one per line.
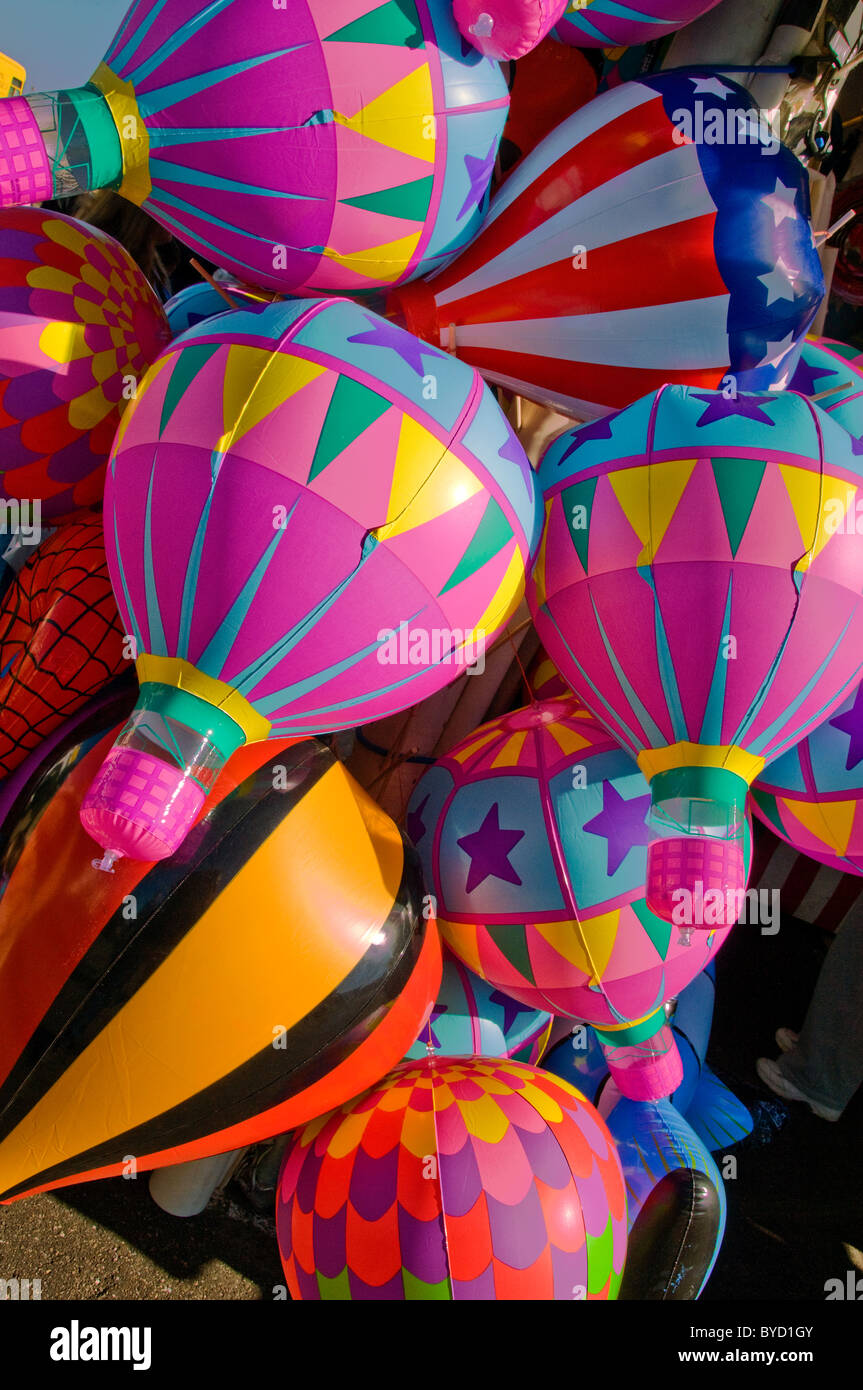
{"x":60,"y":42}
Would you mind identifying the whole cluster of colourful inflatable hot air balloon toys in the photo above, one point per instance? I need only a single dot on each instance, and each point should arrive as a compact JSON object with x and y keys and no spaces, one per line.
{"x":294,"y":502}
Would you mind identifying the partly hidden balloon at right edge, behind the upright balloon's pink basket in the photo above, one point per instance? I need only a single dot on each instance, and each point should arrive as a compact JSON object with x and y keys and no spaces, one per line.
{"x":812,"y":797}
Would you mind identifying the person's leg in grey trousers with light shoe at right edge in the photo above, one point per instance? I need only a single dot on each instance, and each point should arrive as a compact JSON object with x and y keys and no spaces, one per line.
{"x":828,"y":1063}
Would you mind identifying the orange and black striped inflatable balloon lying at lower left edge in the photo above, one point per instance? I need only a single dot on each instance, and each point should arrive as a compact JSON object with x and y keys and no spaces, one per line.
{"x":277,"y":967}
